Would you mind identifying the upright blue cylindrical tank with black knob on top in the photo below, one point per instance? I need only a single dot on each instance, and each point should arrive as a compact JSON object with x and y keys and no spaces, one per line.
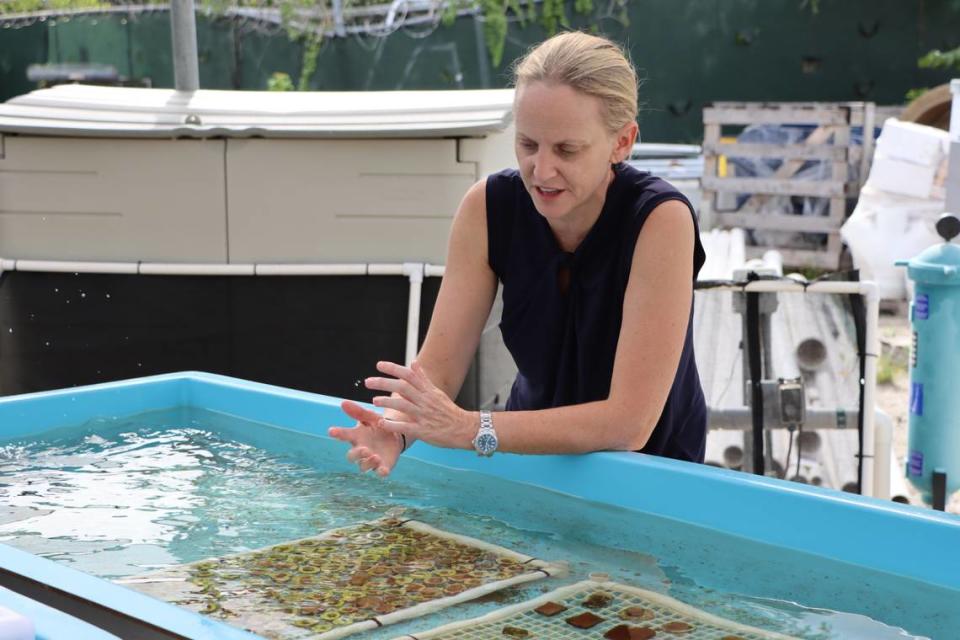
{"x":934,"y":442}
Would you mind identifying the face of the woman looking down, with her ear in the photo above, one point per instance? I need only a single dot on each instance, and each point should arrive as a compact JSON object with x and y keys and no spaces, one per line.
{"x":565,"y":151}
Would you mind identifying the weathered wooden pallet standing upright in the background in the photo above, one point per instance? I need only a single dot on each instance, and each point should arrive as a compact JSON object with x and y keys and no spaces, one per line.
{"x":828,"y":142}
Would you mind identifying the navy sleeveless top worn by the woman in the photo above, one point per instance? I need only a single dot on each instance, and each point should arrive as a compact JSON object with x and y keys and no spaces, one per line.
{"x":564,"y":343}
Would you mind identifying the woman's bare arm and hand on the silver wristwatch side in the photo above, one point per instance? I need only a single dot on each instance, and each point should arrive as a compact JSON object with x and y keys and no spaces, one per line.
{"x":656,"y":311}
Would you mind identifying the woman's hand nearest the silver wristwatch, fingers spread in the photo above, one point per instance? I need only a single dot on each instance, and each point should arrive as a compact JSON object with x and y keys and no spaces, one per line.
{"x":432,"y":416}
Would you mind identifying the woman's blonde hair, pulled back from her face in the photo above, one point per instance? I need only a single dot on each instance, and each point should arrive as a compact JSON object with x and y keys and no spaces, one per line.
{"x":589,"y":64}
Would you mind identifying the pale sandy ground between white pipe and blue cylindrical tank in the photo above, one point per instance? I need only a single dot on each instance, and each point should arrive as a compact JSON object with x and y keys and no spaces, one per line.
{"x":893,"y":397}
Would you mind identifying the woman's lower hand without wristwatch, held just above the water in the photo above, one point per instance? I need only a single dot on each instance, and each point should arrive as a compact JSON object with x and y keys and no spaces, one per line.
{"x":371,"y":446}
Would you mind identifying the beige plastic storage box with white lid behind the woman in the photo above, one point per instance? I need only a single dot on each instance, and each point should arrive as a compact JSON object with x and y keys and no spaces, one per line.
{"x":116,"y":174}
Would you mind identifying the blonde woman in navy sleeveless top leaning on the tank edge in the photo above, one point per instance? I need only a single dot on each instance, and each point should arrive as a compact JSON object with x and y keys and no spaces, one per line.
{"x":597,"y":262}
